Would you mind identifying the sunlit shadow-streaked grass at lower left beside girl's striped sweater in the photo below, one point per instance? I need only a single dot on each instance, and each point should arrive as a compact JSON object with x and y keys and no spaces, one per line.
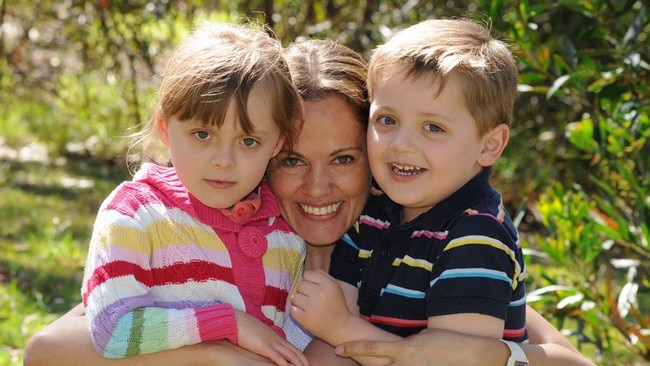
{"x":47,"y":209}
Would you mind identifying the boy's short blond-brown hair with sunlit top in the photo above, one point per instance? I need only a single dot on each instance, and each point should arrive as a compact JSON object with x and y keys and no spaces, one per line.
{"x":440,"y":48}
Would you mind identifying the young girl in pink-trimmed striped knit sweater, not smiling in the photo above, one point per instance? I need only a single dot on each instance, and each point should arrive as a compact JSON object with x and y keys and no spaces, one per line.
{"x":194,"y":249}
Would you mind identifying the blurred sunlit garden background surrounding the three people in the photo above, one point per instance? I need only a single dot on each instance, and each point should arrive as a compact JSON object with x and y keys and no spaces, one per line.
{"x":77,"y":76}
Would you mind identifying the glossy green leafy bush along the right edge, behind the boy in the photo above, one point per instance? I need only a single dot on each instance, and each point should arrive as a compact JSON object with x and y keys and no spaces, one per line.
{"x":598,"y":220}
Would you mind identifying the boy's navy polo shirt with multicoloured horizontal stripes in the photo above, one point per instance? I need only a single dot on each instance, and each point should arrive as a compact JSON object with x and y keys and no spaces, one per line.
{"x":462,"y":256}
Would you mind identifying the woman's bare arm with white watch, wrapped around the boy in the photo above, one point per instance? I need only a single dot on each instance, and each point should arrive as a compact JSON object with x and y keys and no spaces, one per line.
{"x":551,"y":348}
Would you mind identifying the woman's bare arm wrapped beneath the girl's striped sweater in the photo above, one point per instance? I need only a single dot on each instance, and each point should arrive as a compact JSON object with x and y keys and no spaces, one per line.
{"x":66,"y":341}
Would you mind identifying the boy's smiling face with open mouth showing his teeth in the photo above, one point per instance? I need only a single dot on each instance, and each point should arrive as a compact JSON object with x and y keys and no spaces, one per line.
{"x":421,"y":148}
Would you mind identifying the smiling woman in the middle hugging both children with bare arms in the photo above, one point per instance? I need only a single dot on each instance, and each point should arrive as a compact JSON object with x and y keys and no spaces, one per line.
{"x":321,"y":186}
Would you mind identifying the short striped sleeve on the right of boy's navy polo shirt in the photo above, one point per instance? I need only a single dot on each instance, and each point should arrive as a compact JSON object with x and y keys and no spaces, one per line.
{"x":477,"y":271}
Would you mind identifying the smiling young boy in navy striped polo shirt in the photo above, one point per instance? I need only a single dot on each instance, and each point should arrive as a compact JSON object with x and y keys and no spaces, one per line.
{"x":437,"y":250}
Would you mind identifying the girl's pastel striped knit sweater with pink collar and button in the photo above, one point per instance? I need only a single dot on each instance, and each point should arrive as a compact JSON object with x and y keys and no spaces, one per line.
{"x":165,"y":271}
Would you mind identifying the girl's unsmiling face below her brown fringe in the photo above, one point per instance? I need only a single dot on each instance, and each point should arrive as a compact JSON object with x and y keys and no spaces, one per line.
{"x":221,"y":166}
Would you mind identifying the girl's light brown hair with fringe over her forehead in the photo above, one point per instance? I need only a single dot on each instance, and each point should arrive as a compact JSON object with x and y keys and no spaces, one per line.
{"x":219,"y":63}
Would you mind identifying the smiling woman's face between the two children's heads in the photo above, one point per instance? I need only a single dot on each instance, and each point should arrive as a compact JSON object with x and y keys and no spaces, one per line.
{"x":322,"y":185}
